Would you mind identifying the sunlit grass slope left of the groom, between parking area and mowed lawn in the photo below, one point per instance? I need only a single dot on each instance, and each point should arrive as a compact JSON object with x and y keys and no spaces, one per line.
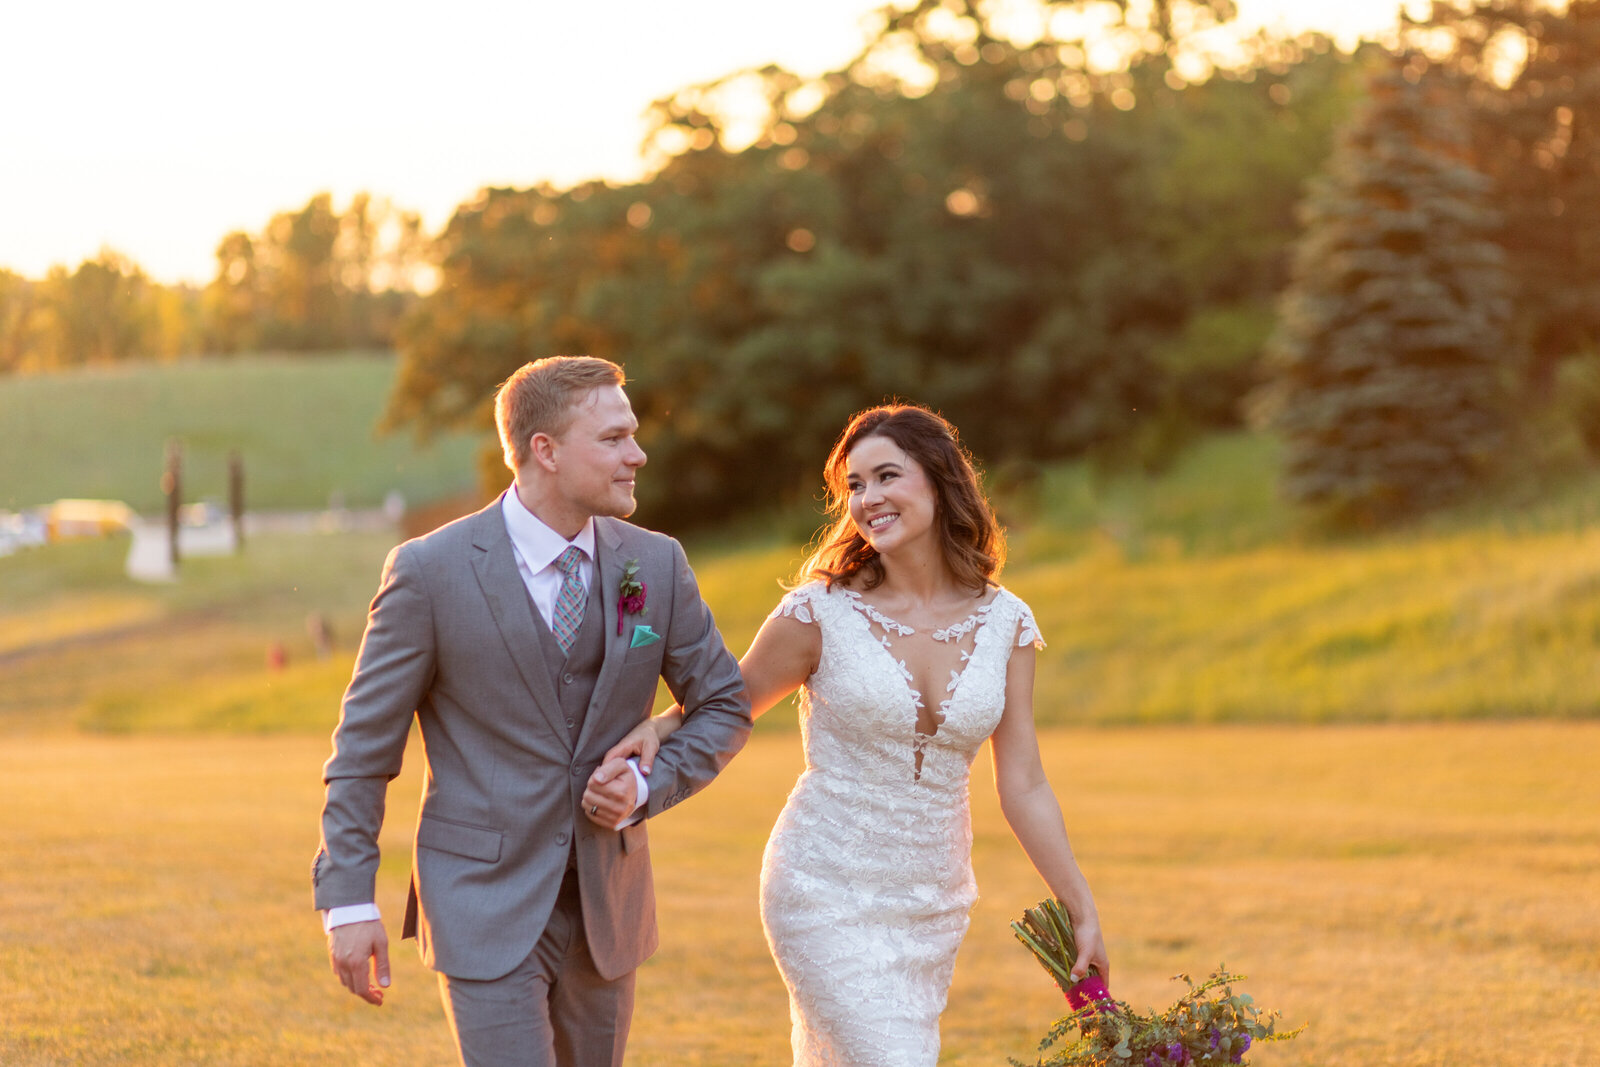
{"x":193,"y":655}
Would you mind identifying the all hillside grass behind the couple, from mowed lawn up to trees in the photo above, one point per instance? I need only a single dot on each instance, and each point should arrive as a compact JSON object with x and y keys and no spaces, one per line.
{"x":1190,"y":596}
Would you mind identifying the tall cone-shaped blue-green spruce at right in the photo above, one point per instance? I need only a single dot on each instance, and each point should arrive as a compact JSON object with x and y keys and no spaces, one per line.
{"x":1388,"y":366}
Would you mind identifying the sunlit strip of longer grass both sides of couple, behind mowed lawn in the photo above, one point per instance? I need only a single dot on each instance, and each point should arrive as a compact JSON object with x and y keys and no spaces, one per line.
{"x":1458,"y":623}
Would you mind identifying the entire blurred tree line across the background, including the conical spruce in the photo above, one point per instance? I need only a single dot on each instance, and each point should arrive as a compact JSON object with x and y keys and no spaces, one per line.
{"x":1074,"y":242}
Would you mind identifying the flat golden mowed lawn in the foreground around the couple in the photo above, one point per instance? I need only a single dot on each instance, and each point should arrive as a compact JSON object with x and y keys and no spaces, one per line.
{"x":1417,"y":893}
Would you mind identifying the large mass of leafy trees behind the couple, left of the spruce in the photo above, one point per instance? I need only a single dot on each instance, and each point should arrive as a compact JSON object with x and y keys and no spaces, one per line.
{"x":1063,"y":255}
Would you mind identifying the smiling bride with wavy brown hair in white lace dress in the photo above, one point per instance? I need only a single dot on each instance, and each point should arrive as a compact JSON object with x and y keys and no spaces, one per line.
{"x":910,"y":657}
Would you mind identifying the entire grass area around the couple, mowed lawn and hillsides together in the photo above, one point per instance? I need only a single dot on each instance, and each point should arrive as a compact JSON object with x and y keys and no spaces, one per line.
{"x":1359,"y":770}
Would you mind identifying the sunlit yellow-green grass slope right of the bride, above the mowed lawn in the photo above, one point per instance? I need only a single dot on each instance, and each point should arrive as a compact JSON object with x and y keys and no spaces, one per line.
{"x":1463,"y":626}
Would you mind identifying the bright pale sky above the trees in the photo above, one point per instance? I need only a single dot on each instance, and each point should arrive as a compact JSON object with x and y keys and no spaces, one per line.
{"x":156,"y":127}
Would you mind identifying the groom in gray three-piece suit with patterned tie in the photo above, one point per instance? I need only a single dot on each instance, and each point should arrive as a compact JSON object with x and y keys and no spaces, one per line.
{"x":526,"y":641}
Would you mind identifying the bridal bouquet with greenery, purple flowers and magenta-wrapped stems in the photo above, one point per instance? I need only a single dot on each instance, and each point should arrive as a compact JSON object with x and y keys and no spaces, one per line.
{"x":1210,"y":1025}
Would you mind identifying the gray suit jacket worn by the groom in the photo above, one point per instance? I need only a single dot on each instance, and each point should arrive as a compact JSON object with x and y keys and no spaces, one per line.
{"x":450,"y":639}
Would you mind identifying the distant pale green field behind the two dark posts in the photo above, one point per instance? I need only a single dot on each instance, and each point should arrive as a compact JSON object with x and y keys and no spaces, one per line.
{"x":305,"y":428}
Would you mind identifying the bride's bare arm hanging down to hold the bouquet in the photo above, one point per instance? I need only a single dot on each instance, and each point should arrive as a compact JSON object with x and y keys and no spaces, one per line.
{"x":1031,"y":807}
